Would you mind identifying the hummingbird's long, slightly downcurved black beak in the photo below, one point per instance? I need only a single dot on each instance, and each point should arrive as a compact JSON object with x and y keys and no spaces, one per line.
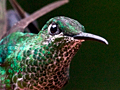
{"x":89,"y":36}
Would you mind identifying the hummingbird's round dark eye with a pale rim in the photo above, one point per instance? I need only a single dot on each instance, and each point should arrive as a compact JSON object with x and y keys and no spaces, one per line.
{"x":53,"y":29}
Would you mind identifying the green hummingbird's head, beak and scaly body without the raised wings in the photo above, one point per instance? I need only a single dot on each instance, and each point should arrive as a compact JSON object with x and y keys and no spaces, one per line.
{"x":41,"y":61}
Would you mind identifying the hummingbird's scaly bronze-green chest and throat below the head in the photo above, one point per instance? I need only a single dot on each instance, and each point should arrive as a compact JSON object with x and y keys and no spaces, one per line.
{"x":44,"y":68}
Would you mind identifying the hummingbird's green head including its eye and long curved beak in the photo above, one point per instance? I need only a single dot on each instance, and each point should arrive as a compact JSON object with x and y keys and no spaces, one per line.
{"x":65,"y":30}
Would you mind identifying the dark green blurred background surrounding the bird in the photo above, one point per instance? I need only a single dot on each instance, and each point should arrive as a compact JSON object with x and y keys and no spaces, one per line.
{"x":96,"y":66}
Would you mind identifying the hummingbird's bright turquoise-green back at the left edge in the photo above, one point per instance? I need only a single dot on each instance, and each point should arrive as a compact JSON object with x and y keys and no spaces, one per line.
{"x":9,"y":47}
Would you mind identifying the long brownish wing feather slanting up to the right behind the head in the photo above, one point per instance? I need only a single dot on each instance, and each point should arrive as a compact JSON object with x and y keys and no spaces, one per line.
{"x":21,"y":25}
